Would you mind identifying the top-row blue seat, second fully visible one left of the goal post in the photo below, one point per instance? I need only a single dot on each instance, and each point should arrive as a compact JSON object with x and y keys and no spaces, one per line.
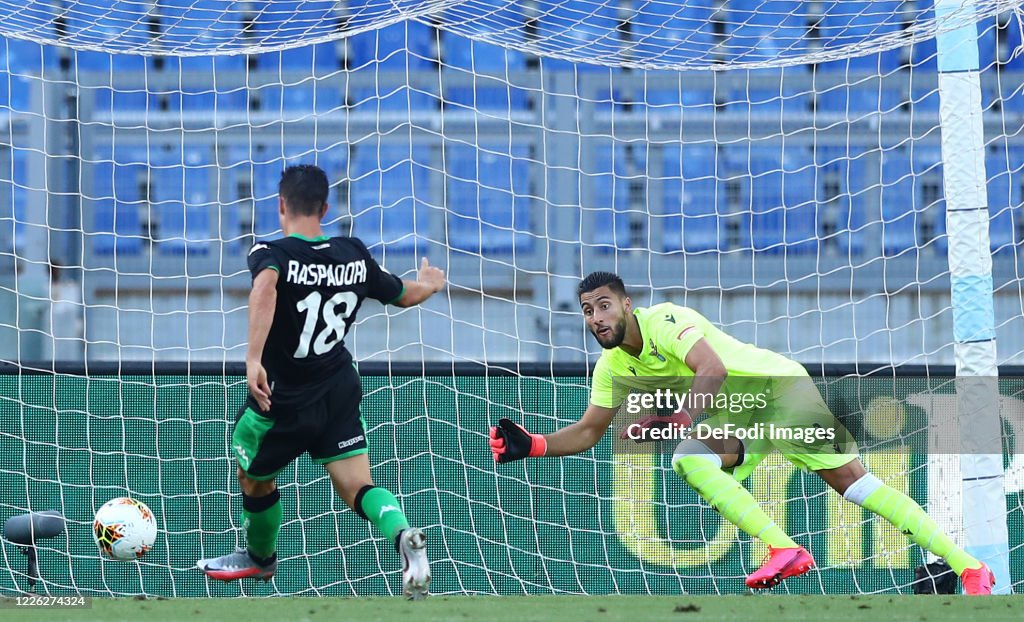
{"x":765,"y":30}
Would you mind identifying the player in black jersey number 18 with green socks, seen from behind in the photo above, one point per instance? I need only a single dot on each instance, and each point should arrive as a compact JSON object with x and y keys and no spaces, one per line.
{"x":305,"y":392}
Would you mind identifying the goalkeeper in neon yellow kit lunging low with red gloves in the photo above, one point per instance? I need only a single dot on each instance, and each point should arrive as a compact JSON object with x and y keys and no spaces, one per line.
{"x":668,"y":341}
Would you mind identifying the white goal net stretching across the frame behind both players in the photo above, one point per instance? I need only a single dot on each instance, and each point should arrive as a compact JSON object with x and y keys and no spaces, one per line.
{"x":776,"y":165}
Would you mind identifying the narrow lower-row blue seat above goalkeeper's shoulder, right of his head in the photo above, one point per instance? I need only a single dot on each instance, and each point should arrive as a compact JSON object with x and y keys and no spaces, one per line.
{"x":690,"y":195}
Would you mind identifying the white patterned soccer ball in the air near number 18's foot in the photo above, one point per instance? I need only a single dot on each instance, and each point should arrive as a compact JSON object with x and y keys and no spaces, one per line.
{"x":124,"y":529}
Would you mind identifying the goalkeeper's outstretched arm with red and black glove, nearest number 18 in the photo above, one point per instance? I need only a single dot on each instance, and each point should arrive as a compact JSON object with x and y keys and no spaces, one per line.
{"x":511,"y":442}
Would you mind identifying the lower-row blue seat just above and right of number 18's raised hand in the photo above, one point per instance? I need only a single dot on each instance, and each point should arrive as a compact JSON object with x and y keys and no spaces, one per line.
{"x":489,"y":203}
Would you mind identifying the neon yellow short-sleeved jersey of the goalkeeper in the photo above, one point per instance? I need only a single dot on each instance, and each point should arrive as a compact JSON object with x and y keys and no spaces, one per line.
{"x":669,"y":333}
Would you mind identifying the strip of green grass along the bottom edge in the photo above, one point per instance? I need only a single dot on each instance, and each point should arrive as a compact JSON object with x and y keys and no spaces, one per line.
{"x":562,"y":609}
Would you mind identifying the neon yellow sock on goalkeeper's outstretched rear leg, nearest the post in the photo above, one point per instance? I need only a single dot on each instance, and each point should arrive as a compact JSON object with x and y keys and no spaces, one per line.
{"x":907,"y":516}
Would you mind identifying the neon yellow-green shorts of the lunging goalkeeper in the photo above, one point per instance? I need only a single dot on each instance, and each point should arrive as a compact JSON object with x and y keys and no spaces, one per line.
{"x":798,"y":424}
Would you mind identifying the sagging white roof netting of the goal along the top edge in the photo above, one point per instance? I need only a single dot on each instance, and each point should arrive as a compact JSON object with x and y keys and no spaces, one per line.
{"x":699,"y":34}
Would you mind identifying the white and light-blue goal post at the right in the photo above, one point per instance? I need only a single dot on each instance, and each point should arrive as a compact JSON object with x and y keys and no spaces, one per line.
{"x":971,"y":276}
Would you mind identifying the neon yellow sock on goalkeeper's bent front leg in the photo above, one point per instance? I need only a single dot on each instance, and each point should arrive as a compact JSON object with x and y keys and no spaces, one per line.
{"x":730,"y":499}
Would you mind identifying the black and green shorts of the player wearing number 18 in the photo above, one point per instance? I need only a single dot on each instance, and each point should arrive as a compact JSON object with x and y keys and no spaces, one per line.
{"x":322,"y":420}
